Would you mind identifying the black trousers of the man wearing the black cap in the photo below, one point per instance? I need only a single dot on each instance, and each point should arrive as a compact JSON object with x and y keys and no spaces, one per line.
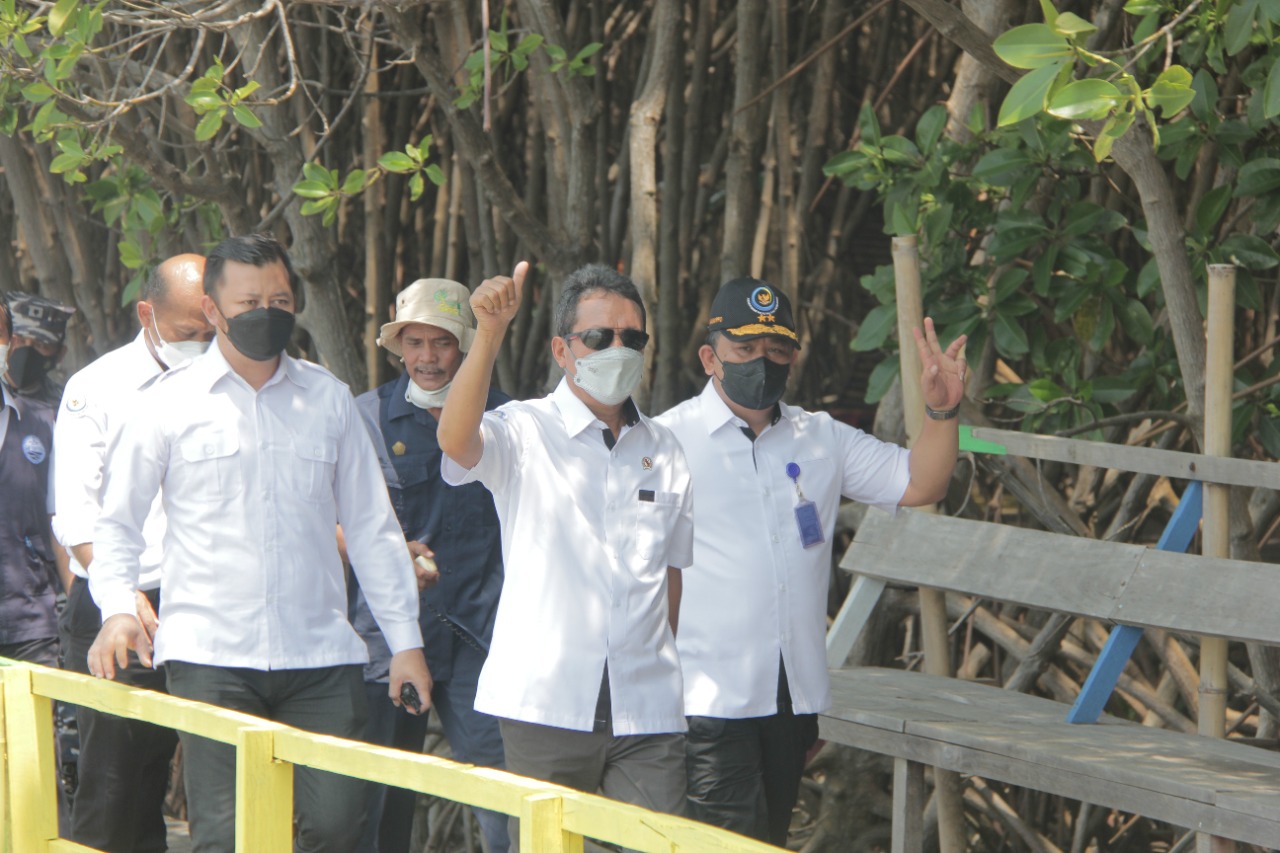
{"x":744,"y":776}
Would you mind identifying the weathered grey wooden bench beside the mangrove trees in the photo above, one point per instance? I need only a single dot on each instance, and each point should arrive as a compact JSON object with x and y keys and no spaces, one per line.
{"x":1217,"y":787}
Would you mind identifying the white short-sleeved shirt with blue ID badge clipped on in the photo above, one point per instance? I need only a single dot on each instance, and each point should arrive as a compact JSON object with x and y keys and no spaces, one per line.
{"x":756,"y":592}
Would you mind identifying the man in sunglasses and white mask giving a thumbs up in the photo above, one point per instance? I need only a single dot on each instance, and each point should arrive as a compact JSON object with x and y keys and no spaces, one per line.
{"x":597,"y":522}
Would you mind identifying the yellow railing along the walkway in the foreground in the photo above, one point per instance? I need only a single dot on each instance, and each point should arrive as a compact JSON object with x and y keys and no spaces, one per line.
{"x":552,"y":819}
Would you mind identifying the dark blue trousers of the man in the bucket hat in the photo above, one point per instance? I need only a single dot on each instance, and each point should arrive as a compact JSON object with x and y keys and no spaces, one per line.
{"x":474,"y":738}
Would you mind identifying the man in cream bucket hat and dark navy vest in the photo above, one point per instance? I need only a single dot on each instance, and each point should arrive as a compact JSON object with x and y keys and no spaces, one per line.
{"x":458,"y":526}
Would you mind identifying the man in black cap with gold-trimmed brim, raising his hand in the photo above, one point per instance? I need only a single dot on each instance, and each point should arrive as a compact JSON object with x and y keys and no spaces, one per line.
{"x":770,"y":480}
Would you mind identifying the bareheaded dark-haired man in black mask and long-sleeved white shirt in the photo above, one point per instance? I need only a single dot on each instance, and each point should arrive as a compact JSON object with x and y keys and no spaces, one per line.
{"x":255,"y":457}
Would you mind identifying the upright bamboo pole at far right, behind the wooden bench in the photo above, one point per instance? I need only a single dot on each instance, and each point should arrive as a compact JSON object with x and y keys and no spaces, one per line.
{"x":1217,"y":526}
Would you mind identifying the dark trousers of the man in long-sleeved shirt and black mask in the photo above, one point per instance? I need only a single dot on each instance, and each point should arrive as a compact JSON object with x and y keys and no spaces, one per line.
{"x":330,"y":810}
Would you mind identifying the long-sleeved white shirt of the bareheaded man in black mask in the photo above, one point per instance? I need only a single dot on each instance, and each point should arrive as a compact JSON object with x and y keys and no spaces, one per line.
{"x":253,"y":485}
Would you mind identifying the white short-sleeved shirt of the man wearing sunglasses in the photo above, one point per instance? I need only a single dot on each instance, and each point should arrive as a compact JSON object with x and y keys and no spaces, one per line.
{"x":587,"y":537}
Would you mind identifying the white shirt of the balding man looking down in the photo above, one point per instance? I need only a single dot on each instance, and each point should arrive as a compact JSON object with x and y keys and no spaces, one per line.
{"x":95,"y":404}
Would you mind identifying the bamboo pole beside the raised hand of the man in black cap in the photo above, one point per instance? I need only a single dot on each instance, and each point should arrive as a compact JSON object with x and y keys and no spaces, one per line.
{"x":934,"y":610}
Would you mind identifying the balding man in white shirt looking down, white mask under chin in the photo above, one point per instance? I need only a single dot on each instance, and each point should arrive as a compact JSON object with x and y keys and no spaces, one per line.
{"x":124,"y":764}
